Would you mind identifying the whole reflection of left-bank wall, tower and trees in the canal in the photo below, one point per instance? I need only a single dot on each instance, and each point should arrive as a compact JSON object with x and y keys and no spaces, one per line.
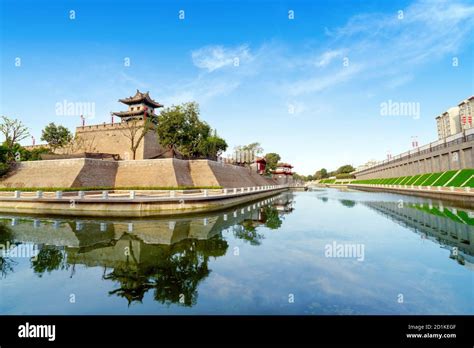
{"x":167,"y":256}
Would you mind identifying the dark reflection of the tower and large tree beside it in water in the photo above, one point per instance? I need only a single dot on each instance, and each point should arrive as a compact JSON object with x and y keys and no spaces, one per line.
{"x":175,"y":276}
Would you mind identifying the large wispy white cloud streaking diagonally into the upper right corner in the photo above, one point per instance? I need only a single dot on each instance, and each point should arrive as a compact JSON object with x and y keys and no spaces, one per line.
{"x":382,"y":46}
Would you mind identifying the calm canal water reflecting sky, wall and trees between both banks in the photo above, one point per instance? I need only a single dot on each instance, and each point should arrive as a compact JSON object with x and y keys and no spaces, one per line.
{"x":316,"y":252}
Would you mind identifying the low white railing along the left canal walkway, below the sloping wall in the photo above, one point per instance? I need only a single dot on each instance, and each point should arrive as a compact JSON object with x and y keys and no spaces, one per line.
{"x":131,"y":195}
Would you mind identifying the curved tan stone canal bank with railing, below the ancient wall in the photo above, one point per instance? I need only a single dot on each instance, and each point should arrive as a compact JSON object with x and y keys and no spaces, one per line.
{"x":132,"y":203}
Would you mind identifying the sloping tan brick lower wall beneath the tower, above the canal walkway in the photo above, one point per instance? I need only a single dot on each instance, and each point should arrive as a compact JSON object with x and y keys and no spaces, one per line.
{"x":167,"y":172}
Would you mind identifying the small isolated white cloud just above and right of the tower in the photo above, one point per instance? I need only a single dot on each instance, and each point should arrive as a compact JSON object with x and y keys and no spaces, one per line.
{"x":212,"y":58}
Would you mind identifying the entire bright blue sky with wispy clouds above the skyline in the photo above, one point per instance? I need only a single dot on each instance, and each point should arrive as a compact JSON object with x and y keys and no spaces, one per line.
{"x":309,"y":88}
